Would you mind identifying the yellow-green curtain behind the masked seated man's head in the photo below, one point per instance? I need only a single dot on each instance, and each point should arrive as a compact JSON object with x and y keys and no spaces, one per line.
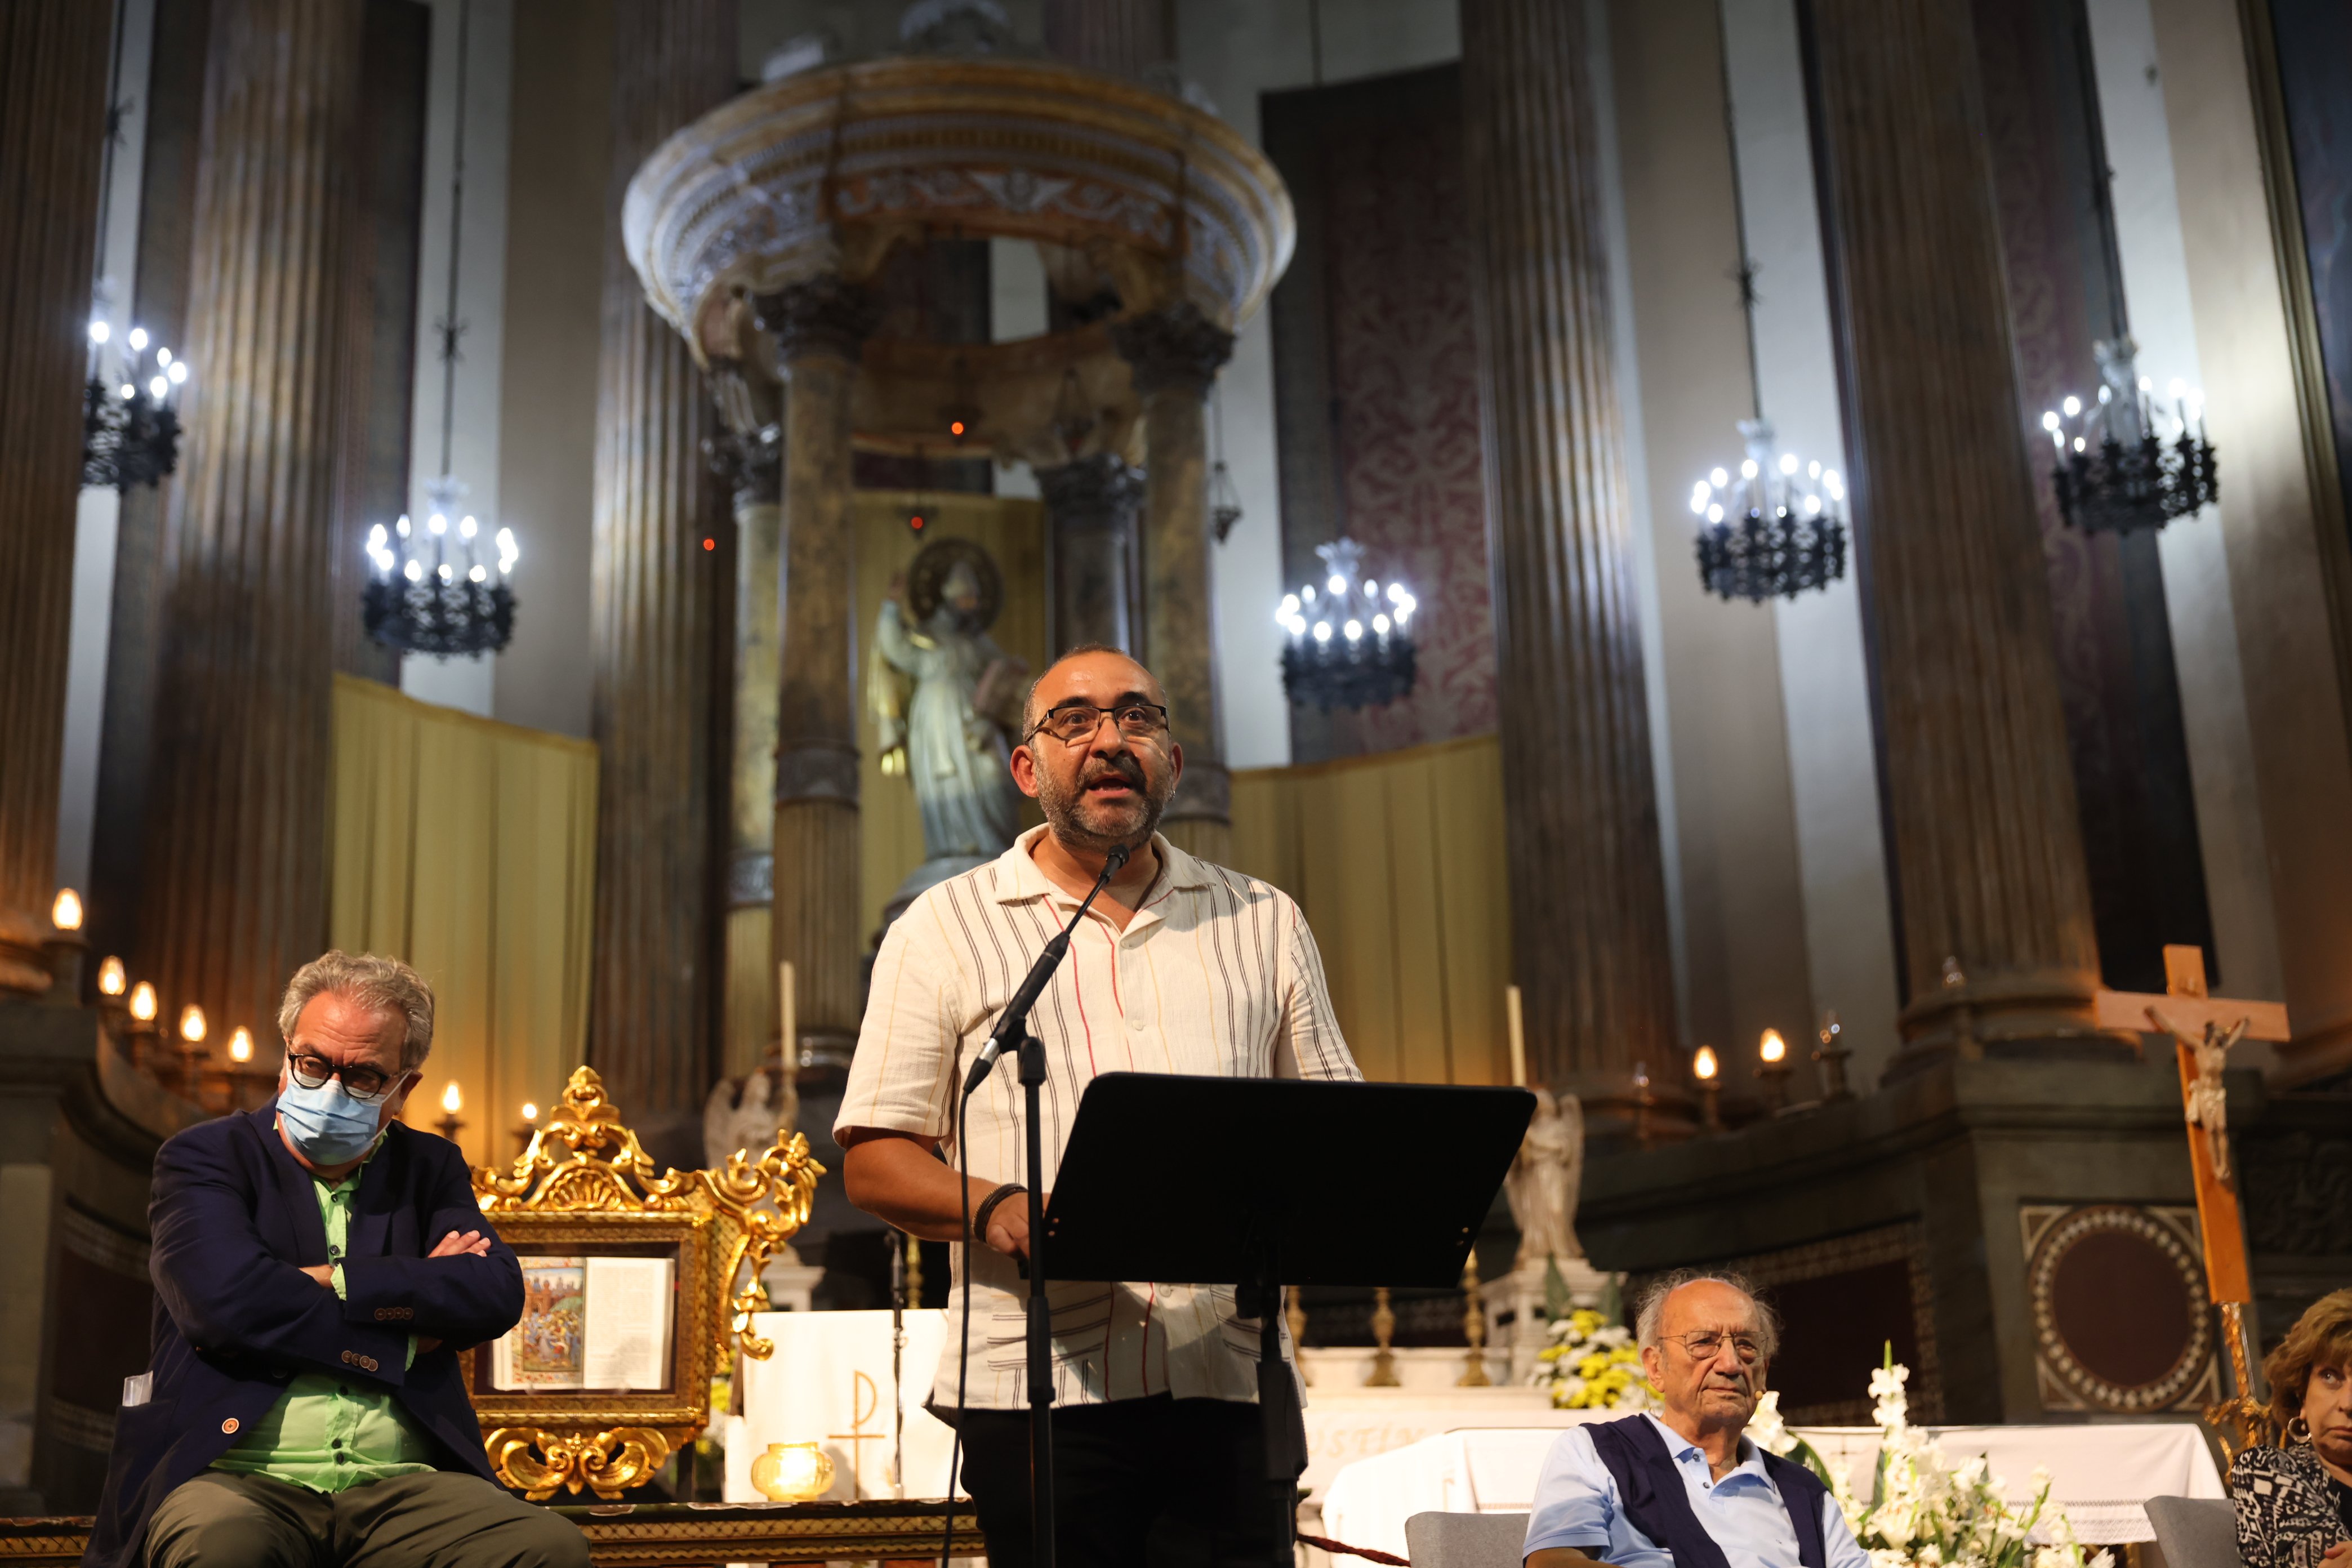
{"x":467,"y":850}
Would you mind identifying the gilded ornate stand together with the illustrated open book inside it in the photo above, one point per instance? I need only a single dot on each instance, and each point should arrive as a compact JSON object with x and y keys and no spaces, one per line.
{"x":636,"y":1285}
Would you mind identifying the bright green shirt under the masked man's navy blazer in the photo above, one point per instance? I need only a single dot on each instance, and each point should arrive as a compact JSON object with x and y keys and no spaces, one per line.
{"x":333,"y":1433}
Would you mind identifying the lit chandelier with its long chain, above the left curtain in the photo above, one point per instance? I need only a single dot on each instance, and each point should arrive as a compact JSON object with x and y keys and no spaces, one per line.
{"x":432,"y":589}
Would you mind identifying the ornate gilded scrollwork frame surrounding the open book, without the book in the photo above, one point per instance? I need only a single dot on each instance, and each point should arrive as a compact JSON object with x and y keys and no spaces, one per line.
{"x":587,"y":1186}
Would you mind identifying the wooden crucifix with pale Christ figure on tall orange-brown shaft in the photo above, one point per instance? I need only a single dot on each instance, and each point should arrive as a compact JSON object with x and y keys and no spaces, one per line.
{"x":2205,"y":1028}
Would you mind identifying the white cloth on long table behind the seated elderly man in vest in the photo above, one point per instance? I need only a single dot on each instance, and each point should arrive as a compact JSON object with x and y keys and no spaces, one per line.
{"x":2099,"y":1475}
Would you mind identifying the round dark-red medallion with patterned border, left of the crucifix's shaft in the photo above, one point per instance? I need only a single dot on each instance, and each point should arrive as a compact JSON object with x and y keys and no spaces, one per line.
{"x":2120,"y":1308}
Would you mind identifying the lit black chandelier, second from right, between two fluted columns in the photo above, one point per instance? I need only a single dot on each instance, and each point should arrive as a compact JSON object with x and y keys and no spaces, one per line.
{"x":1775,"y":530}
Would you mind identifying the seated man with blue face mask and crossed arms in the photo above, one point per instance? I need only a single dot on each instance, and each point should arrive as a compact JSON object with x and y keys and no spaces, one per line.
{"x":319,"y":1271}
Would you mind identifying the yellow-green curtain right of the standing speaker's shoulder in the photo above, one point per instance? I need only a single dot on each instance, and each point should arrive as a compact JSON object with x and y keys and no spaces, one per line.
{"x":1401,"y":869}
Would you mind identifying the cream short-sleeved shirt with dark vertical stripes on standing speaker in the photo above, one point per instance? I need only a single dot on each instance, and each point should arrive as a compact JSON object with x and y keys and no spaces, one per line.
{"x":1217,"y":974}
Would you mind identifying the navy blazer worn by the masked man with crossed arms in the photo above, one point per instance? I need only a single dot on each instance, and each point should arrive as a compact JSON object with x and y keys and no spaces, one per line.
{"x":236,"y":1221}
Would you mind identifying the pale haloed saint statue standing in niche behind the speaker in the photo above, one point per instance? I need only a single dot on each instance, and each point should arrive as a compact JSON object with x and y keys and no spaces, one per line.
{"x":947,"y":704}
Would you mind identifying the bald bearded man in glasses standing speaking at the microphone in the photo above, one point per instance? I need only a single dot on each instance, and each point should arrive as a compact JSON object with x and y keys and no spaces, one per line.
{"x":1180,"y":967}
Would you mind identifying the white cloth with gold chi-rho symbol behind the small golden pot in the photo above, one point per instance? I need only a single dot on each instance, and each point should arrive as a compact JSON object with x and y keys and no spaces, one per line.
{"x":829,"y":1383}
